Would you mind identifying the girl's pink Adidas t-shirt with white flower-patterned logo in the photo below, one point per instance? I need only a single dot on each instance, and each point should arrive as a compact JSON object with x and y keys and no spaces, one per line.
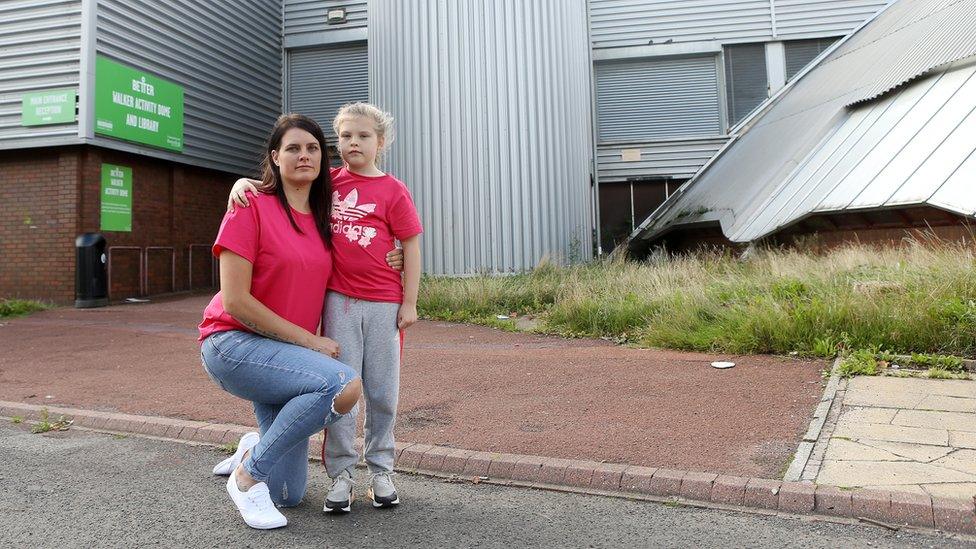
{"x":368,"y":213}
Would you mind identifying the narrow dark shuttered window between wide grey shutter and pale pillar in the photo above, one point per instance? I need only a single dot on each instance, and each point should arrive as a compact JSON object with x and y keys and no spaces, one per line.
{"x":745,"y":79}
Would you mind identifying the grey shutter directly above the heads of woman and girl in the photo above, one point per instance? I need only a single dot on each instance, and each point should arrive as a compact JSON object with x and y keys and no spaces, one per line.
{"x":316,"y":90}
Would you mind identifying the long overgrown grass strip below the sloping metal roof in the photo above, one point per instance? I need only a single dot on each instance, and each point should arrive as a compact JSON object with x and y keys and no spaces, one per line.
{"x":916,"y":299}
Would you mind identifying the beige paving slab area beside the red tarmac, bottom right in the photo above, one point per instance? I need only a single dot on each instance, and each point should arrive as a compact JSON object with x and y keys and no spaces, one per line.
{"x":907,"y":435}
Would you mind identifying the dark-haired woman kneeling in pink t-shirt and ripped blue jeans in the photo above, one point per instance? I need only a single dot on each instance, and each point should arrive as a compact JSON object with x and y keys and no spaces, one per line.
{"x":259,"y":333}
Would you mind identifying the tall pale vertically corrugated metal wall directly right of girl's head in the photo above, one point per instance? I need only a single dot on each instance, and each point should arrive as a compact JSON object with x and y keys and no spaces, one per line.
{"x":492,"y":100}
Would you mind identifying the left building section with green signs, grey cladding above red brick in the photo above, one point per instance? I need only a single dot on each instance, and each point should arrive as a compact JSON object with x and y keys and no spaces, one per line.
{"x":128,"y":118}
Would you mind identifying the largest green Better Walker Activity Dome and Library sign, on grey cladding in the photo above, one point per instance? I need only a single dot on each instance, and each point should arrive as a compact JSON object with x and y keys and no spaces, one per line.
{"x":137,"y":106}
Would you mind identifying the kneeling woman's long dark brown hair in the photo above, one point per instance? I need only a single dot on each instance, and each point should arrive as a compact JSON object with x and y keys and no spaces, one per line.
{"x":320,"y":195}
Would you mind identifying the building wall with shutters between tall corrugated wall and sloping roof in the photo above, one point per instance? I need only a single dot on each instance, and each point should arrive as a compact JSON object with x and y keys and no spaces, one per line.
{"x":674,"y":79}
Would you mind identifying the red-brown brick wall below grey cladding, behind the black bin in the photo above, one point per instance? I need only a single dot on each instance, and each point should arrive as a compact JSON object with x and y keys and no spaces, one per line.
{"x":49,"y":196}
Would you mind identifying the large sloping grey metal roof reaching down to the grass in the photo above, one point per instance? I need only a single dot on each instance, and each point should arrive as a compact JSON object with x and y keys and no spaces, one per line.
{"x":823,"y":145}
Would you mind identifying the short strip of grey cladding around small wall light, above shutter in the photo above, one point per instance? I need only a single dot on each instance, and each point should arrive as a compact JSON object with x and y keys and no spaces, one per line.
{"x":304,"y":21}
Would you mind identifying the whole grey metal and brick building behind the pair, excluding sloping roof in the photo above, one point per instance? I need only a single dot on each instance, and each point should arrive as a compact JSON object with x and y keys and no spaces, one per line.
{"x":131,"y":118}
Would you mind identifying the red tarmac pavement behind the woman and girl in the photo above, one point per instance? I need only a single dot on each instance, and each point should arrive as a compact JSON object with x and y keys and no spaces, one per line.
{"x":462,"y":387}
